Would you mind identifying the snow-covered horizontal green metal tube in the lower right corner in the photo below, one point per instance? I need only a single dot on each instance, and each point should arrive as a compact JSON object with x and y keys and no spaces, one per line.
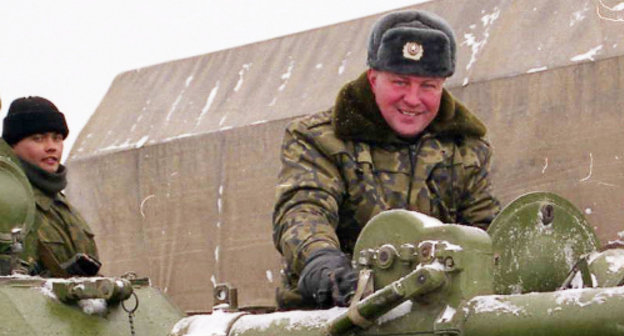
{"x":576,"y":312}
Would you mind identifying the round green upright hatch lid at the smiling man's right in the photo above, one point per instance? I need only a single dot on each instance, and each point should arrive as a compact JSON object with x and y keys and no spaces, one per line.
{"x":537,"y":239}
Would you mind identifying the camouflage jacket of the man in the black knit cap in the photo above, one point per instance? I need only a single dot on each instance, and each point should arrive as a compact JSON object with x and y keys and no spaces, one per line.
{"x":58,"y":230}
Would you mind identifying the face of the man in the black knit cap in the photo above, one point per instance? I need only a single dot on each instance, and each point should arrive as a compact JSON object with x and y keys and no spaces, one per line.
{"x":43,"y":150}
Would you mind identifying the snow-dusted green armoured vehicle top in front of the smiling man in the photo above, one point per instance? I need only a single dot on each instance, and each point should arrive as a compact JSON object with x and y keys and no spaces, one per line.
{"x":421,"y":277}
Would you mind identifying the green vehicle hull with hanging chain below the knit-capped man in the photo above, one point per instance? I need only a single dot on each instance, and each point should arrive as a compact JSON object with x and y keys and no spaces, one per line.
{"x":93,"y":306}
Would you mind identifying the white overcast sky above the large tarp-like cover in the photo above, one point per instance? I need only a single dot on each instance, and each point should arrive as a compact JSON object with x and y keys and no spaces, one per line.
{"x":69,"y":51}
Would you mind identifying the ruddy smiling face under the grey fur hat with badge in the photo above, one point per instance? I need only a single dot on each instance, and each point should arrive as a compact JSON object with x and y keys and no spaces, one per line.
{"x":407,"y":103}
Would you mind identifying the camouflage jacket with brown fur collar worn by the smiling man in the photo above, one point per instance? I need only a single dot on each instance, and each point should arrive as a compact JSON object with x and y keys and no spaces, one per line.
{"x":343,"y":166}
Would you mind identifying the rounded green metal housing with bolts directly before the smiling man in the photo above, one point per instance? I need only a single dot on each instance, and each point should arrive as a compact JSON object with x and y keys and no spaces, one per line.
{"x":408,"y":239}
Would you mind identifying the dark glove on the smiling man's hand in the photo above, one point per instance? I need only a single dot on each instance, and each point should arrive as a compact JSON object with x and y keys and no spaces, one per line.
{"x":328,"y":278}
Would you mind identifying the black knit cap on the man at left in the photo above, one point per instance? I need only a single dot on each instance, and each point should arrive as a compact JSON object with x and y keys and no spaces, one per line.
{"x":32,"y":115}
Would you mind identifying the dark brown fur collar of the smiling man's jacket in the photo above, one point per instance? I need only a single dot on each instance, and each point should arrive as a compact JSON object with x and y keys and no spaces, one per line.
{"x":357,"y":117}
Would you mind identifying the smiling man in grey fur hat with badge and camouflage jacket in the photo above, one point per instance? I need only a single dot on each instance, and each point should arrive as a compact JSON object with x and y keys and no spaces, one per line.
{"x":395,"y":139}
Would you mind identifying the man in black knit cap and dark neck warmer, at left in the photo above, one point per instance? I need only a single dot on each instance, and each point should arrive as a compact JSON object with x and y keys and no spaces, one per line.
{"x":60,"y":244}
